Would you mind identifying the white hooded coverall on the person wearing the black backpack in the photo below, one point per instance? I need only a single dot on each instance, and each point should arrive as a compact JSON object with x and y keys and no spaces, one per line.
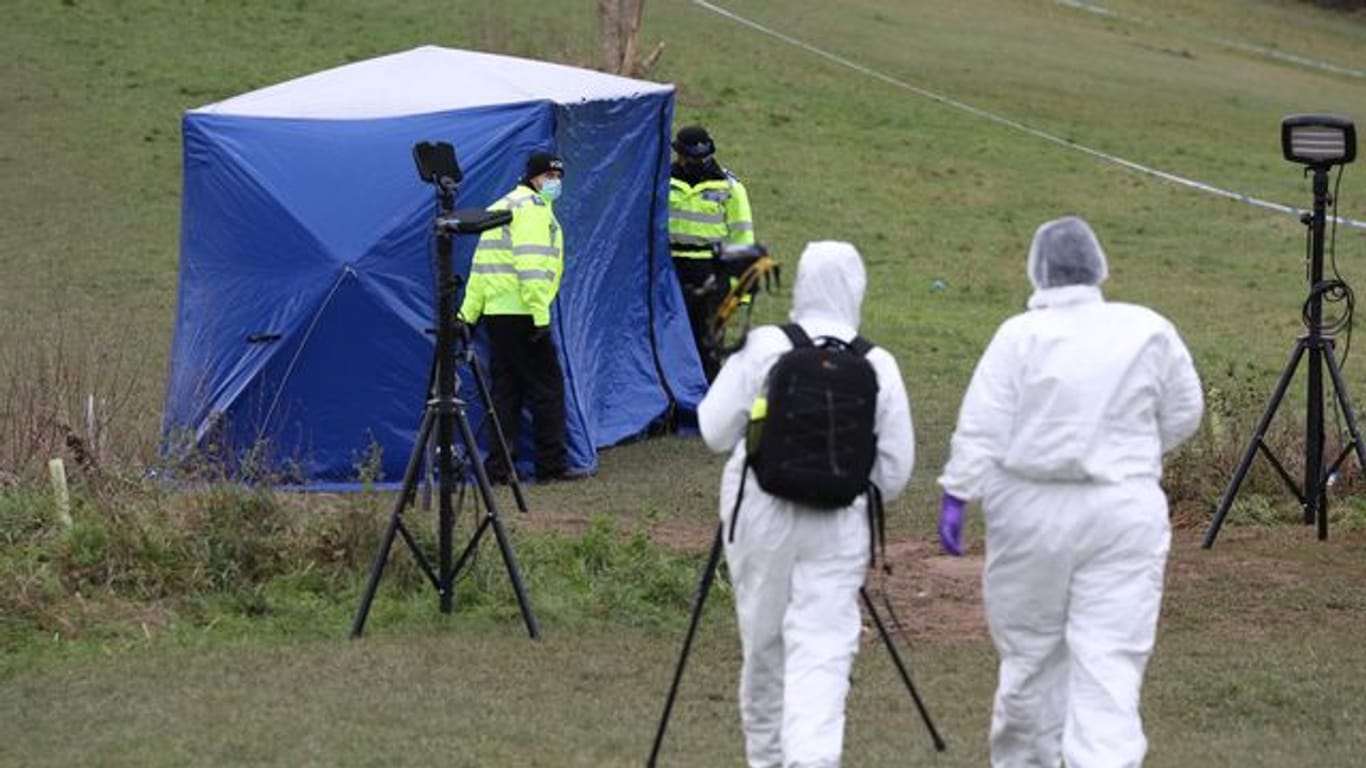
{"x":797,"y":571}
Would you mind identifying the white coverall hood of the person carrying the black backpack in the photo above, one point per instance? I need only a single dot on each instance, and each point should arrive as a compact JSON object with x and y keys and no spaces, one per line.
{"x":830,"y":285}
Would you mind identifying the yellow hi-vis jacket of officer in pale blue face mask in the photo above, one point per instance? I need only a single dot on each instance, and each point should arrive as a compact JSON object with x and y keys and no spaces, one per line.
{"x":517,"y":267}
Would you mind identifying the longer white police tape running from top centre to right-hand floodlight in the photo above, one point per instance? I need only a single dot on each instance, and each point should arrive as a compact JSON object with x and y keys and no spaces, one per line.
{"x":1016,"y":125}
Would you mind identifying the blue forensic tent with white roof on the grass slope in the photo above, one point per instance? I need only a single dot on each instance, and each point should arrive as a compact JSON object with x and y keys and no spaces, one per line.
{"x":307,"y":300}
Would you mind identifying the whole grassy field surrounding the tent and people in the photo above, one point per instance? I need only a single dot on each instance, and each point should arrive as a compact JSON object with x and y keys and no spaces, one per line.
{"x":910,"y":129}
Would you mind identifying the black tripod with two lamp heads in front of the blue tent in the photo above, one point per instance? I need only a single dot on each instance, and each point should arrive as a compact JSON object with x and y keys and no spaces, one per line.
{"x":436,"y":163}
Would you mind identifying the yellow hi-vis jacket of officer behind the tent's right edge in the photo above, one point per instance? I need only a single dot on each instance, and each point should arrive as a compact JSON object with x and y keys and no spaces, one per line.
{"x":707,"y":214}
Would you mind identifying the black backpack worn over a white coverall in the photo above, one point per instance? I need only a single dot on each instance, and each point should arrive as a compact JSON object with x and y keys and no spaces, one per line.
{"x":818,"y":442}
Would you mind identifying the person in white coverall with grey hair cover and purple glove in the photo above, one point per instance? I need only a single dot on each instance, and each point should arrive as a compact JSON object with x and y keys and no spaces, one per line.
{"x":1062,"y":435}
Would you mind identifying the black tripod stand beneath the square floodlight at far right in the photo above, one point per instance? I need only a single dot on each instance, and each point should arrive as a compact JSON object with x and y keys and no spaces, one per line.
{"x":1319,"y":348}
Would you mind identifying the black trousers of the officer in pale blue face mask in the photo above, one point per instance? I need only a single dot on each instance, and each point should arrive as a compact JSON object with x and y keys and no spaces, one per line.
{"x":527,"y":372}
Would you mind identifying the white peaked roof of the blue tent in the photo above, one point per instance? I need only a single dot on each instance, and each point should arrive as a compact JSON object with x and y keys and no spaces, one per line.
{"x":428,"y":80}
